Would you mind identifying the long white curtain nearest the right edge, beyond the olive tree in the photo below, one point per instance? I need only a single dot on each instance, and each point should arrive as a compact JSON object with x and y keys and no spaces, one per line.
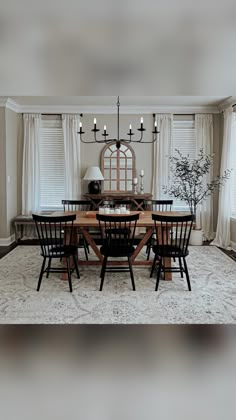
{"x":223,"y":226}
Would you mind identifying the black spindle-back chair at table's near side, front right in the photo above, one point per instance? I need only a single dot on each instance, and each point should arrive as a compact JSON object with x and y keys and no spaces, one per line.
{"x":173,"y":235}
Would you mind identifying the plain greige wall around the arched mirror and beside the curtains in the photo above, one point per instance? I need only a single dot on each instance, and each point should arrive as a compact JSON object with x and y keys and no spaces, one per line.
{"x":11,"y":151}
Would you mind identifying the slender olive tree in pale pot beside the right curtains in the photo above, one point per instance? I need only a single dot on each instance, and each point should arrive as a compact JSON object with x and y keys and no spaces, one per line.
{"x":186,"y":184}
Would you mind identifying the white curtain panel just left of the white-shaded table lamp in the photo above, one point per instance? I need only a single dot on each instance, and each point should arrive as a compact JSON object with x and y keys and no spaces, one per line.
{"x":70,"y":125}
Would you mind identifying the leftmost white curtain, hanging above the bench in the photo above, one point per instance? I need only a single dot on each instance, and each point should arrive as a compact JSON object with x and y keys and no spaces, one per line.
{"x":31,"y":167}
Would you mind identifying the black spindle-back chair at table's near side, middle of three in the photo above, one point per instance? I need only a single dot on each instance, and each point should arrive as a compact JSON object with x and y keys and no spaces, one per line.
{"x":117,"y":234}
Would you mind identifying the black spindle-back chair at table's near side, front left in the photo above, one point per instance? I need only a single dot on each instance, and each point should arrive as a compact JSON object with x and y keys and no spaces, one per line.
{"x":51,"y":232}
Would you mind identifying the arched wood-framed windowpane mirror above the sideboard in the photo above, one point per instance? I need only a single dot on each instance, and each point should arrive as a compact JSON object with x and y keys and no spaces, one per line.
{"x":118,"y":168}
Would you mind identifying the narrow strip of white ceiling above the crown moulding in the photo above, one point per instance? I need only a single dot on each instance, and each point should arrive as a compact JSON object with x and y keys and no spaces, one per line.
{"x":145,"y":101}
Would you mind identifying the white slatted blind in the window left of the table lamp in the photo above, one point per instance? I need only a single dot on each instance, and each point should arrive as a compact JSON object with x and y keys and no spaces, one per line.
{"x":52,"y":165}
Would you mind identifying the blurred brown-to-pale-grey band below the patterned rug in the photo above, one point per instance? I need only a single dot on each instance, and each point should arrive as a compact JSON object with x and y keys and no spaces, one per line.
{"x":117,"y":373}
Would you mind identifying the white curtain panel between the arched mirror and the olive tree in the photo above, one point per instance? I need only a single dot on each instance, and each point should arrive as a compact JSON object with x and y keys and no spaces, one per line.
{"x":161,"y":153}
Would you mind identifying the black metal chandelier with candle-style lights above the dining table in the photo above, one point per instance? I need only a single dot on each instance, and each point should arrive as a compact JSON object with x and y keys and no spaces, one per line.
{"x":119,"y":141}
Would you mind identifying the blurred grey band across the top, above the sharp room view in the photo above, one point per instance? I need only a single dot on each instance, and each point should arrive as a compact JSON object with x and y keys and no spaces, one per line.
{"x":83,"y":47}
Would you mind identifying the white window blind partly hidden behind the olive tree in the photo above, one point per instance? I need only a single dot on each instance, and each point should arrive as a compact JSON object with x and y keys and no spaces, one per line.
{"x":184,"y":140}
